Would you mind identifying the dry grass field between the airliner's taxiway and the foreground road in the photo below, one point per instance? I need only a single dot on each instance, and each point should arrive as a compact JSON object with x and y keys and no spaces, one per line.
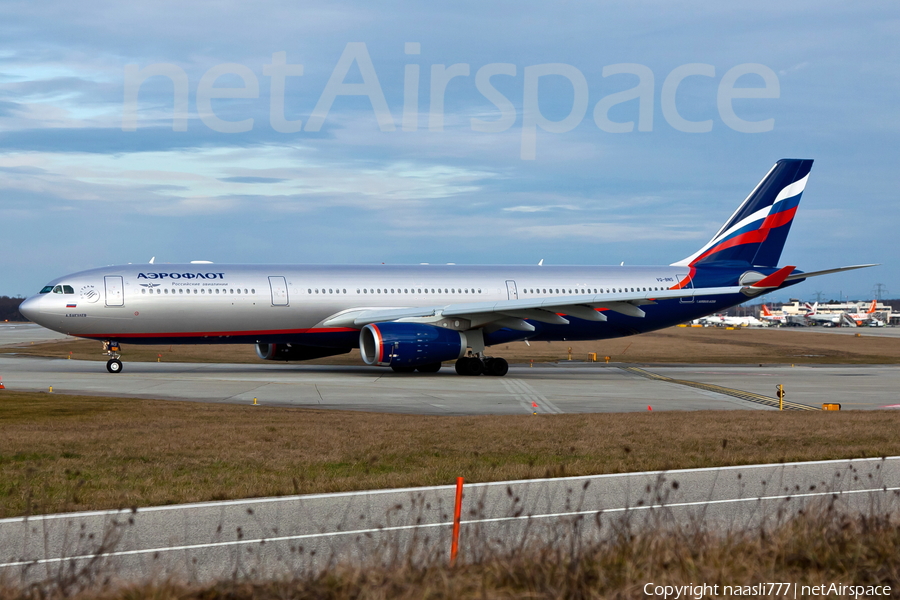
{"x":64,"y":453}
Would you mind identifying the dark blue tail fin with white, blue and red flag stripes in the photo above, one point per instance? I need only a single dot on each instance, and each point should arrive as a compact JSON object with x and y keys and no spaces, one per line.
{"x":756,"y":232}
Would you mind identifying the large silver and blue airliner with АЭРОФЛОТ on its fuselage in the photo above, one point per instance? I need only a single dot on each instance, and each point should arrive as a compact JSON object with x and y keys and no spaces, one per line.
{"x":414,"y":318}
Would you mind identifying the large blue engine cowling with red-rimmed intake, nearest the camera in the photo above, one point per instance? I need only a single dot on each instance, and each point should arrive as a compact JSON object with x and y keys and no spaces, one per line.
{"x":409,"y":344}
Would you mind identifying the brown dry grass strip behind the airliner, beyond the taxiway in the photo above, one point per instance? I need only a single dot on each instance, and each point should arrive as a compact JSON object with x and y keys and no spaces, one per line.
{"x":676,"y":344}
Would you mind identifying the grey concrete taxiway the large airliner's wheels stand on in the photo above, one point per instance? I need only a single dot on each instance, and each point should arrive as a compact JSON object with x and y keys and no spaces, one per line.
{"x":578,"y":387}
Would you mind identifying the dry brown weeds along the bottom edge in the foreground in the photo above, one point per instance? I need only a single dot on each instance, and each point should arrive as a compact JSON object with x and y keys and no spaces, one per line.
{"x":819,"y":546}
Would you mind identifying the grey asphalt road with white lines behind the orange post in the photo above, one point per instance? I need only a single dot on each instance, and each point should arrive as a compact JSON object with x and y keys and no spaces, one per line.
{"x":292,"y":535}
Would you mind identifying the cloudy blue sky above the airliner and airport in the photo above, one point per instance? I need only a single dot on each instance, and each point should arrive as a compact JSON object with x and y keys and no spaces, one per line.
{"x":466,"y":132}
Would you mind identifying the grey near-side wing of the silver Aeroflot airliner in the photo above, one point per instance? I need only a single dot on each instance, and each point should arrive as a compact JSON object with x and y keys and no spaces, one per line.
{"x":513,"y":313}
